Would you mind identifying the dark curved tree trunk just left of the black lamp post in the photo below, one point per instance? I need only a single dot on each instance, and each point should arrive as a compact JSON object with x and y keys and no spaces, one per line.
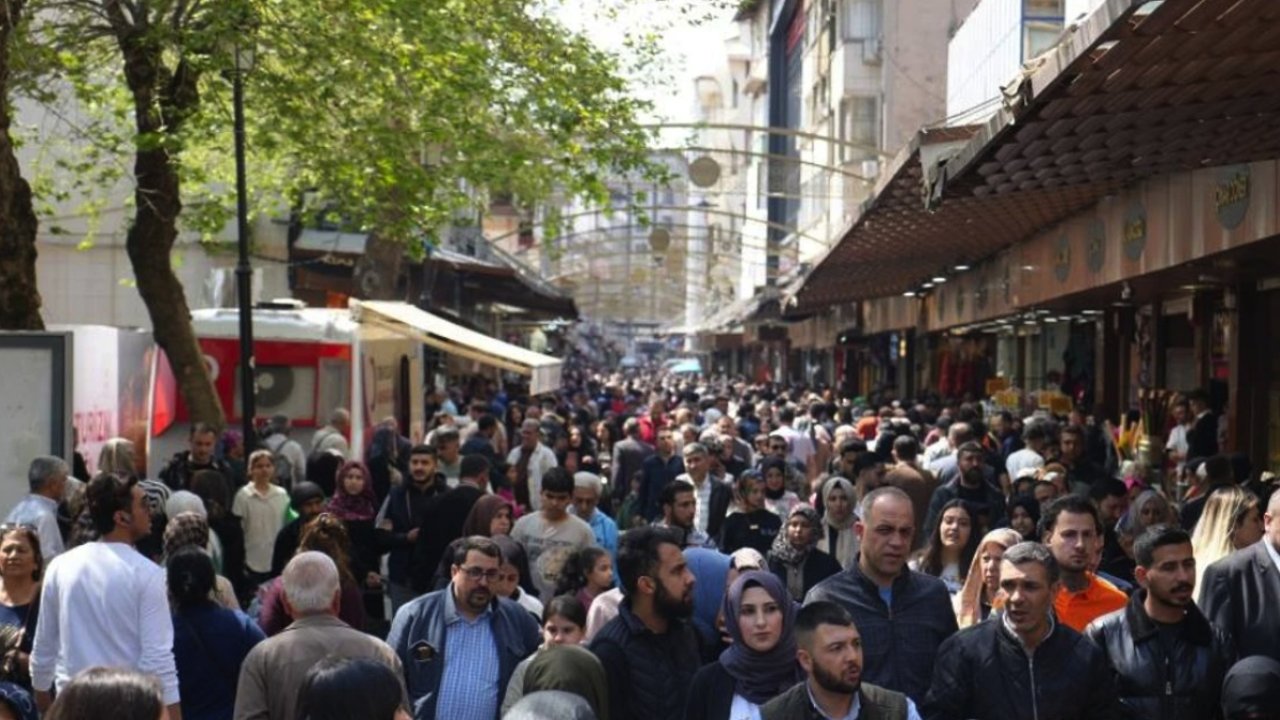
{"x":162,"y":98}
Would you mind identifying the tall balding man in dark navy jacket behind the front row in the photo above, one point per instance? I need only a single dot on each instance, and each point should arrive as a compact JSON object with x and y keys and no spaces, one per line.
{"x":902,"y":616}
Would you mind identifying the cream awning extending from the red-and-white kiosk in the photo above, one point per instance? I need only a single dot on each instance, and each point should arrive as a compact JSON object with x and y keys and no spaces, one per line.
{"x":408,"y":321}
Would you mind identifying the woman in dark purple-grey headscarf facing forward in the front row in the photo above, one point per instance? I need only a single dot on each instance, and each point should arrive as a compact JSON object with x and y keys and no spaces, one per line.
{"x":761,"y":663}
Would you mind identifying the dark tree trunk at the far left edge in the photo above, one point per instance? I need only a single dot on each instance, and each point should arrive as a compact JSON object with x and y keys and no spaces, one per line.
{"x":20,"y":295}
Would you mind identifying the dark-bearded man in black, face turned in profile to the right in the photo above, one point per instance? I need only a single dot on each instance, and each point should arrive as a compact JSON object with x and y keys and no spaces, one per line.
{"x":650,"y":651}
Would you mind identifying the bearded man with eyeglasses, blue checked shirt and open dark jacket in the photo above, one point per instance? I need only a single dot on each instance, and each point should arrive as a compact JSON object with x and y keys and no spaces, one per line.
{"x":460,"y":645}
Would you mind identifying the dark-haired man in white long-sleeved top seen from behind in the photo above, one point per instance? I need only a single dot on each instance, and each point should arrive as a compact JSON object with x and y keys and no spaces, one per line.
{"x":104,"y":604}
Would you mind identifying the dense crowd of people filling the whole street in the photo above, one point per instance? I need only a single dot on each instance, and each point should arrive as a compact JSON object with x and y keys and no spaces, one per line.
{"x":642,"y":548}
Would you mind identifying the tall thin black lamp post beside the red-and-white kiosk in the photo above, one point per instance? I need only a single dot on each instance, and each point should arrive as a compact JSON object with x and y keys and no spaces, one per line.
{"x":244,"y":274}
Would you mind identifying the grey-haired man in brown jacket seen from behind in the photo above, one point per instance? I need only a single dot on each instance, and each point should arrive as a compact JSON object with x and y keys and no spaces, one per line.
{"x":275,"y":671}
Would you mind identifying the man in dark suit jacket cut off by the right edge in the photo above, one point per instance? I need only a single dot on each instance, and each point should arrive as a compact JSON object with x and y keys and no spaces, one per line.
{"x":1242,"y":591}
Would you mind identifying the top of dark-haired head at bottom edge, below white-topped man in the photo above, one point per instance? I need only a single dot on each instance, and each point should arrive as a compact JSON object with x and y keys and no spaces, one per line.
{"x":109,"y":694}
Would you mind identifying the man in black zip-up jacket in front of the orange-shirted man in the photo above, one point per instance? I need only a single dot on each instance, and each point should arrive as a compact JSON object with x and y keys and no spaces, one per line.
{"x":1023,"y":666}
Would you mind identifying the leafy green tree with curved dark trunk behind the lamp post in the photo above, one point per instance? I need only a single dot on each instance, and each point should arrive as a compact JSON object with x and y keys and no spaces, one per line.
{"x":397,"y":112}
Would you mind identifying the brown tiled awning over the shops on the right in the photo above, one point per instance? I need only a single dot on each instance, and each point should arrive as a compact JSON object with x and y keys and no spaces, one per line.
{"x":1136,"y":90}
